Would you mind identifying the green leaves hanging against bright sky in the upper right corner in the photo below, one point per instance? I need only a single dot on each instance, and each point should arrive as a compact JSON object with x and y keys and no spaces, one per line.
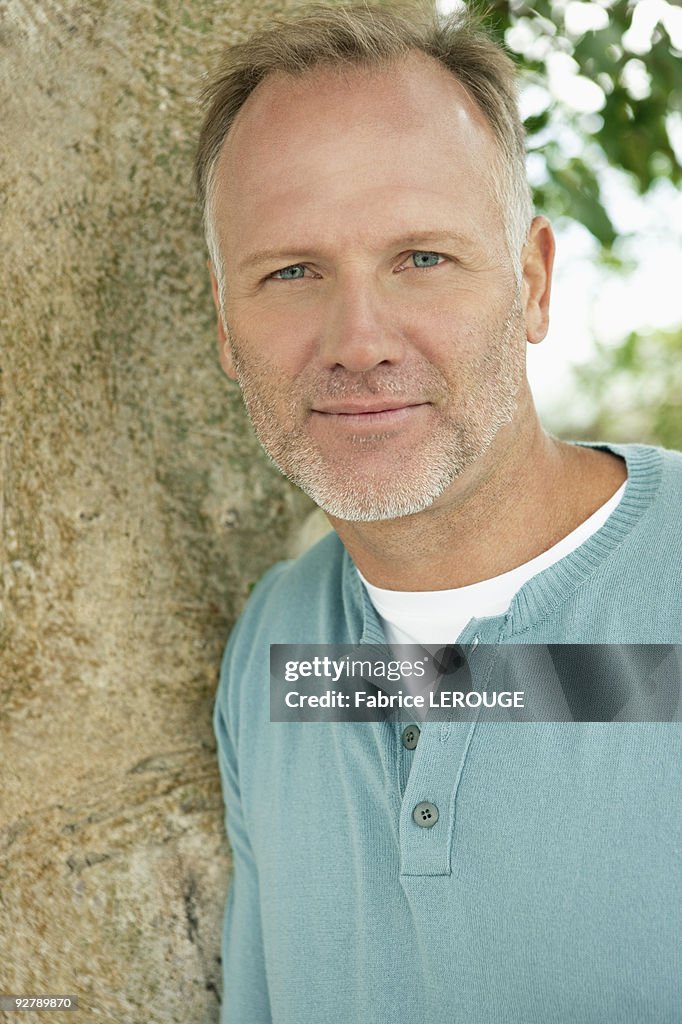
{"x":636,"y":98}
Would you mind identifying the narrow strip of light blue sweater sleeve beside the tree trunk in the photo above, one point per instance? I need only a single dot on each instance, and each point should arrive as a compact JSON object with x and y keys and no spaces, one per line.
{"x":245,"y":995}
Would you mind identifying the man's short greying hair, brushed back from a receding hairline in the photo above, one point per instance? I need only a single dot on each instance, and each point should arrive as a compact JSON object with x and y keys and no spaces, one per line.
{"x":372,"y":37}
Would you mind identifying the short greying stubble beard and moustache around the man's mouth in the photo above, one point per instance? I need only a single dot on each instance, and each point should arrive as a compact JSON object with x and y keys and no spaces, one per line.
{"x":343,"y":489}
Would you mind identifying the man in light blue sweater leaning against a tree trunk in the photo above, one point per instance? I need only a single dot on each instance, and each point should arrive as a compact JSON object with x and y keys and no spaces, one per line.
{"x":377,"y":273}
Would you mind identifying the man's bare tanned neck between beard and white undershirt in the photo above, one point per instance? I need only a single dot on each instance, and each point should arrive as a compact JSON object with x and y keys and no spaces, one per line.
{"x":524,"y":496}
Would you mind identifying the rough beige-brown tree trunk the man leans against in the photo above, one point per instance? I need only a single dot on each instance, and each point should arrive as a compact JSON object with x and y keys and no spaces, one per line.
{"x":137,"y":511}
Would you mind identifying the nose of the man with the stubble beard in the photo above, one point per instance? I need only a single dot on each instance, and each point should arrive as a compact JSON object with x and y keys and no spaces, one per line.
{"x":362,"y":328}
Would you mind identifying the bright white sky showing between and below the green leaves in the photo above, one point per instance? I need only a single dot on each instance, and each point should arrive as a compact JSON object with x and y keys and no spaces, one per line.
{"x":590,"y":303}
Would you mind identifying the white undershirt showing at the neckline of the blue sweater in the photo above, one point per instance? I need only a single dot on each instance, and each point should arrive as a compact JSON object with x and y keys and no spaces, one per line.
{"x":439,"y":617}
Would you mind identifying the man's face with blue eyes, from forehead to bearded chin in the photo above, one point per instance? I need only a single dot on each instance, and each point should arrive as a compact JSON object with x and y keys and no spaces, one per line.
{"x":372,"y":316}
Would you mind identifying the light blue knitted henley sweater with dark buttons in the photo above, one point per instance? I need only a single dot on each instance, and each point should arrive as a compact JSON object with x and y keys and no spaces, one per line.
{"x":550,"y":889}
